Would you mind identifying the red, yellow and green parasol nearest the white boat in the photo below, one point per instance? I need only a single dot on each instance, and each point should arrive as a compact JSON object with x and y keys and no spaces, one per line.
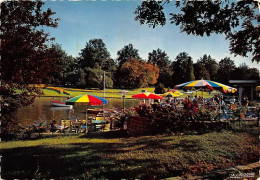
{"x":86,"y":100}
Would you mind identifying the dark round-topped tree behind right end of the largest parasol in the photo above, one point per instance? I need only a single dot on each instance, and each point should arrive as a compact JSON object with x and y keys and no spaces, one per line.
{"x":225,"y":67}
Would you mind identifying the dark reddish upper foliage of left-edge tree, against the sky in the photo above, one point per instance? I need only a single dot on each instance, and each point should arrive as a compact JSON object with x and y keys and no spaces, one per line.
{"x":24,"y":52}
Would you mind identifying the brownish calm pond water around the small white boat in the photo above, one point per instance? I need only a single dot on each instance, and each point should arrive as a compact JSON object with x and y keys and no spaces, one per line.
{"x":42,"y":111}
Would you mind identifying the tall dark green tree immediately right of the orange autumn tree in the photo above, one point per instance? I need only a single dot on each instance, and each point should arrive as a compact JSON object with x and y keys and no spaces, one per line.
{"x":160,"y":58}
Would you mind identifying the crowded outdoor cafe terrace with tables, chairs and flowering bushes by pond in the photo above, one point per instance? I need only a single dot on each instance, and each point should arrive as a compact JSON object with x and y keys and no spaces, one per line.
{"x":169,"y":114}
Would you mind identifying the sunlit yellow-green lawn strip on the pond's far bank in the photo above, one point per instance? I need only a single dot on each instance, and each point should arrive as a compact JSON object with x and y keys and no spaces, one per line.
{"x":111,"y":92}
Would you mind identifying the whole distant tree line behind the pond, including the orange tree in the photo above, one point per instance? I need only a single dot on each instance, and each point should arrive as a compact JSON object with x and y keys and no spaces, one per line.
{"x":129,"y":70}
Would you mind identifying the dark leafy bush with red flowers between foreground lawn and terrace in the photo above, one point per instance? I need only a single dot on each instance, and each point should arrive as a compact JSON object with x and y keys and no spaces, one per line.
{"x":170,"y":119}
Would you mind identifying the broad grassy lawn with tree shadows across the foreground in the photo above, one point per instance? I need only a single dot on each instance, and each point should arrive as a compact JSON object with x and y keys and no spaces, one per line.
{"x":115,"y":155}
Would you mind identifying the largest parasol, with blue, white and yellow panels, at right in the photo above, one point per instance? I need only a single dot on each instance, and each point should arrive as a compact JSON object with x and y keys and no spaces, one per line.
{"x":206,"y":84}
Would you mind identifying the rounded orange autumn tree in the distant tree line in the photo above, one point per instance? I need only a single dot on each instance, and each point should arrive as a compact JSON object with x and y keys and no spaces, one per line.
{"x":139,"y":74}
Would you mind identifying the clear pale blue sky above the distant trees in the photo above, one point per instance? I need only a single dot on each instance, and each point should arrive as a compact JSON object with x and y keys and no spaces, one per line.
{"x":113,"y":22}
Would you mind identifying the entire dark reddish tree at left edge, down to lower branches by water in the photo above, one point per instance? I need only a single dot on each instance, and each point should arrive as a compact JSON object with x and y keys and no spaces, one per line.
{"x":25,"y":56}
